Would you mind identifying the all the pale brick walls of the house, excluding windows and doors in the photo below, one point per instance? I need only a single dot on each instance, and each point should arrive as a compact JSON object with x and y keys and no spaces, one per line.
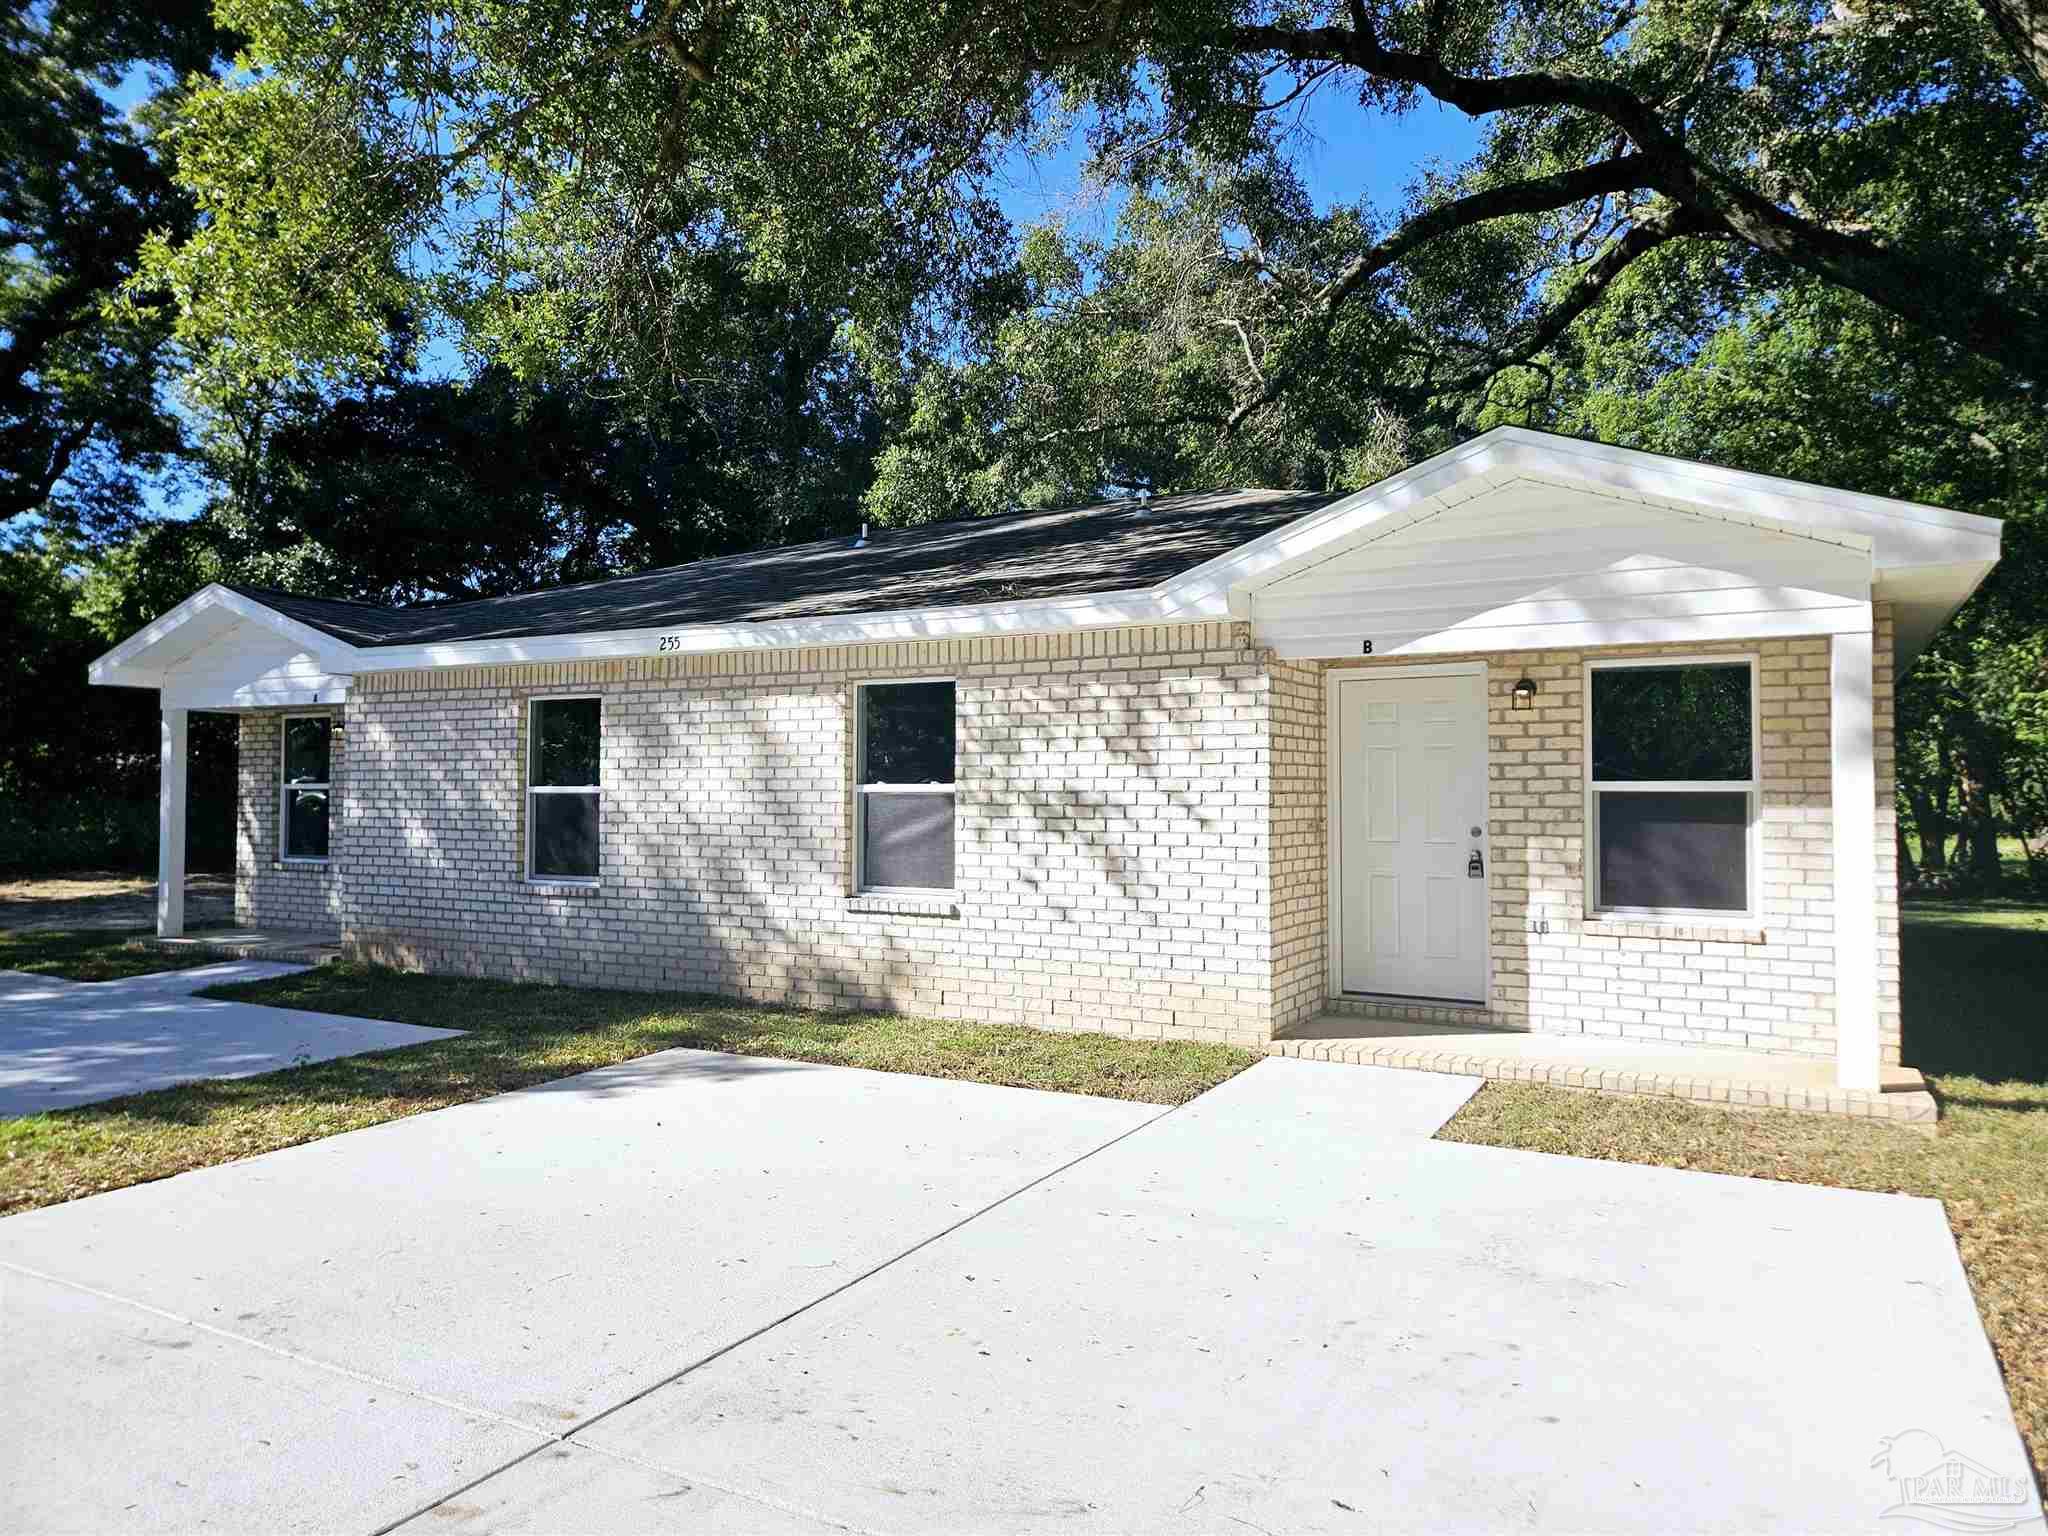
{"x":1142,"y":843}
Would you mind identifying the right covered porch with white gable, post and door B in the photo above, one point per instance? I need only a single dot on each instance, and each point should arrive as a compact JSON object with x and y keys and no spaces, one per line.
{"x":1607,"y":771}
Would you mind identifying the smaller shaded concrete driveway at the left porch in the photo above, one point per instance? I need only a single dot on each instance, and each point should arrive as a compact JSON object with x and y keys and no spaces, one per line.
{"x":79,"y":1041}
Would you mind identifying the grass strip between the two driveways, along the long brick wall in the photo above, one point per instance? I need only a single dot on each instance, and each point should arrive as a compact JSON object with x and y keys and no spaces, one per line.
{"x":523,"y":1035}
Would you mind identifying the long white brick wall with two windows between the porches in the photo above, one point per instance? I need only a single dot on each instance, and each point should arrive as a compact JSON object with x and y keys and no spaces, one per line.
{"x":1113,"y":830}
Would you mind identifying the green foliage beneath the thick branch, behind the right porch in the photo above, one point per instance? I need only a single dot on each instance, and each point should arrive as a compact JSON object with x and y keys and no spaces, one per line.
{"x":1822,"y":386}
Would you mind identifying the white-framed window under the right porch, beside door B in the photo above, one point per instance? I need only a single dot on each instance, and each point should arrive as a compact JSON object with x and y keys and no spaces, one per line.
{"x":1672,"y":787}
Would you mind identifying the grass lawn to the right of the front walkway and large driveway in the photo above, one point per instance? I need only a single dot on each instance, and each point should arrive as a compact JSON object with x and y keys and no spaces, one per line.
{"x":1977,"y":1021}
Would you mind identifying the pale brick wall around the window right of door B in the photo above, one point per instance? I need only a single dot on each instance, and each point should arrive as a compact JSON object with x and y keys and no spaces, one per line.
{"x":1760,"y":986}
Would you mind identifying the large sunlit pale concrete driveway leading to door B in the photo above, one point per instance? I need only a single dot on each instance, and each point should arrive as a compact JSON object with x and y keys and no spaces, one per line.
{"x":712,"y":1293}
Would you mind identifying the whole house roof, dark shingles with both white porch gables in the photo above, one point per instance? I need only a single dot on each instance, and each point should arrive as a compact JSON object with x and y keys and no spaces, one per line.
{"x":1193,"y":558}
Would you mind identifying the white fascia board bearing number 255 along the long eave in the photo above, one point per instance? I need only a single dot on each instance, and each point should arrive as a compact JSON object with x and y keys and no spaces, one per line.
{"x":964,"y":622}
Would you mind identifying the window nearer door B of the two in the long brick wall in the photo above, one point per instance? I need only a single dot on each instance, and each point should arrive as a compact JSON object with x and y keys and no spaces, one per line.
{"x":904,"y":806}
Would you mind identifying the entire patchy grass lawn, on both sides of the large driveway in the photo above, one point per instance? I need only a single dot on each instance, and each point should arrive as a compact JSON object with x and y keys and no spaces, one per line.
{"x":1975,"y":1019}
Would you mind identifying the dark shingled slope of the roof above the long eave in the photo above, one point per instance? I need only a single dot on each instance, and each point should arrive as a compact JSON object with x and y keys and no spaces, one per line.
{"x":1068,"y":552}
